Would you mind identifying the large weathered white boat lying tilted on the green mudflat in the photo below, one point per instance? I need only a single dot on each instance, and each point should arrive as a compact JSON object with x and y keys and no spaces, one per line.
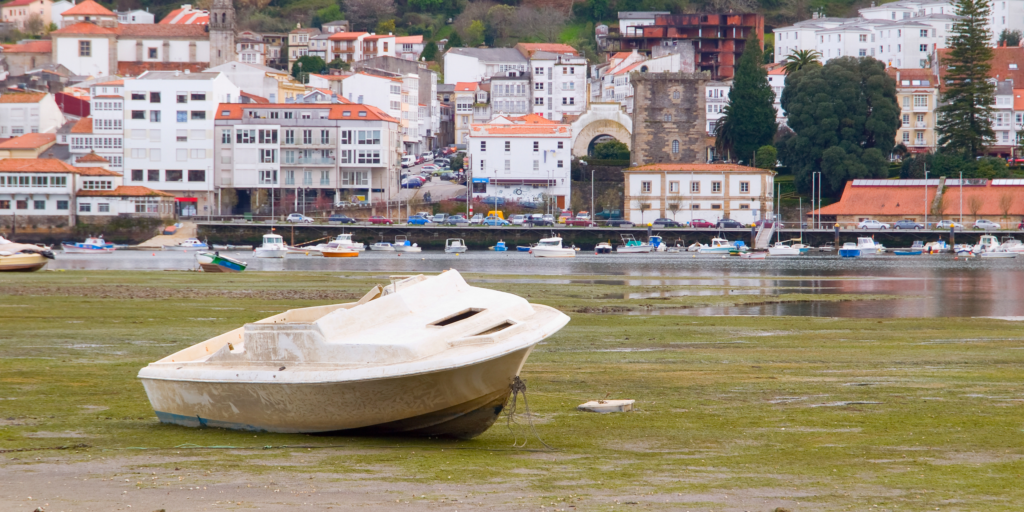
{"x":424,"y":356}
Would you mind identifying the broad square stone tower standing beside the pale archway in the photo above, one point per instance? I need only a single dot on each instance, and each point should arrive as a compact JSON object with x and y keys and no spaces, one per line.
{"x":669,"y":118}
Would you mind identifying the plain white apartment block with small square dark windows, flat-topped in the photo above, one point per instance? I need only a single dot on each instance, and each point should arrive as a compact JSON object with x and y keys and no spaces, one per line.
{"x":168,"y":134}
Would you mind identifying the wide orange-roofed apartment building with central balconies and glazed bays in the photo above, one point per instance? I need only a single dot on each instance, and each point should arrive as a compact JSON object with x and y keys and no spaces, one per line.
{"x":311,"y":151}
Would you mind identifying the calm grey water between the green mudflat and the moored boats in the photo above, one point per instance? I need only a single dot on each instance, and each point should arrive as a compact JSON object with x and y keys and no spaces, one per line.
{"x":929,"y":286}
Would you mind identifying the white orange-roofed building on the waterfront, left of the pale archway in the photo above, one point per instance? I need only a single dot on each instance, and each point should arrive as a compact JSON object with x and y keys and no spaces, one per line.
{"x":522,"y":159}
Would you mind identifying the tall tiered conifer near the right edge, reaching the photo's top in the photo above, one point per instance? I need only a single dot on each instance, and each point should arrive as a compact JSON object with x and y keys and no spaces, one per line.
{"x":965,"y":118}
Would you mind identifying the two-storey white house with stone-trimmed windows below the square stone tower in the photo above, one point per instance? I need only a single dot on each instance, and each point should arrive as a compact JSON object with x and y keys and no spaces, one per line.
{"x":687,"y":193}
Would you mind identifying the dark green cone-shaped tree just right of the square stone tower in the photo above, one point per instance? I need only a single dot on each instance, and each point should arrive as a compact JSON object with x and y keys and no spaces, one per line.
{"x":751,"y":122}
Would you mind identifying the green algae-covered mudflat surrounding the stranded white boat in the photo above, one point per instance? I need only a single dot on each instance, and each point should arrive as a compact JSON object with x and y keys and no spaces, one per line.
{"x":733,"y":413}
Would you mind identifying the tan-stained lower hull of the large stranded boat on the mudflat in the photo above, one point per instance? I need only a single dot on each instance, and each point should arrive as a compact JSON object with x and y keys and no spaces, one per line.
{"x":458,"y":402}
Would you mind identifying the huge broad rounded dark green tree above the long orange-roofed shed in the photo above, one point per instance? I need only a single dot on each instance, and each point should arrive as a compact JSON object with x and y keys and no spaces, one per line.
{"x":845,"y":118}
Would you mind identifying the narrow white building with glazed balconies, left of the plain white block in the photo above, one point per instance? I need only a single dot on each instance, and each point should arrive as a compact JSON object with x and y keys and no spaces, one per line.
{"x":102,"y":133}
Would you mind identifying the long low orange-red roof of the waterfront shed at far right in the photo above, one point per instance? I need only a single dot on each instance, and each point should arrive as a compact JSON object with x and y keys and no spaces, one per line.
{"x":910,"y":200}
